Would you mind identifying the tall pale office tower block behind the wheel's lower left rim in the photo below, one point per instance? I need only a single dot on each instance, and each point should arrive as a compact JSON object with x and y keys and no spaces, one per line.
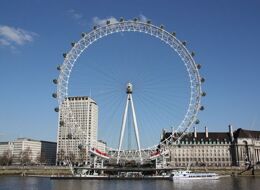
{"x":77,"y":130}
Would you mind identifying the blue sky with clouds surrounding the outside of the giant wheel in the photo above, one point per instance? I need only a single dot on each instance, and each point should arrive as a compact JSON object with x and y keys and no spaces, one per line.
{"x":34,"y":34}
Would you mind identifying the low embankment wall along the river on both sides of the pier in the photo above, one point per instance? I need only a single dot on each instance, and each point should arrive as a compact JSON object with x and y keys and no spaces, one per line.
{"x":65,"y":171}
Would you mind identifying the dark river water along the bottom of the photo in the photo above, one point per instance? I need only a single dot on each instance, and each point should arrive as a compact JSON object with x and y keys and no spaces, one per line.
{"x":42,"y":183}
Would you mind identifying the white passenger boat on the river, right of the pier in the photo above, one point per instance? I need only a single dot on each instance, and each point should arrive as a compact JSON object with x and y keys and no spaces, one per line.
{"x":187,"y":174}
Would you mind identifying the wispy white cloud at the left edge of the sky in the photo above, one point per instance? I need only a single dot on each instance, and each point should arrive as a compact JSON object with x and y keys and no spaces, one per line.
{"x":10,"y":36}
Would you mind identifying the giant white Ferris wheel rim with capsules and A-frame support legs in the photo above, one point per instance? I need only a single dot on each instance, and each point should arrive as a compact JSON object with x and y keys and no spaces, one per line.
{"x":122,"y":26}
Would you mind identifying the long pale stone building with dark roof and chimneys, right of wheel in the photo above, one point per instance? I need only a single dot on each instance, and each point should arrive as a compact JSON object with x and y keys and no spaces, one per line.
{"x":219,"y":149}
